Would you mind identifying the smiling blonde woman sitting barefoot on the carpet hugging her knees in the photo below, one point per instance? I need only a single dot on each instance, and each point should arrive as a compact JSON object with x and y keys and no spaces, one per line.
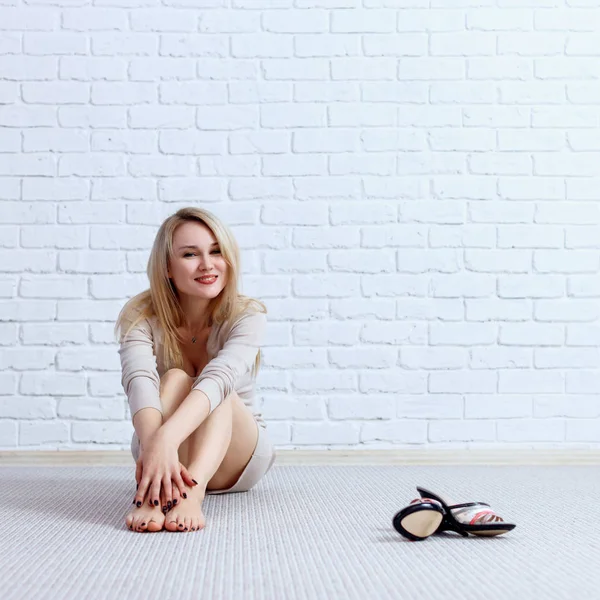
{"x":189,"y":349}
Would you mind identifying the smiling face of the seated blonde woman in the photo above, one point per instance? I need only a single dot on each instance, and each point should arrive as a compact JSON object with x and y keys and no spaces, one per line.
{"x":197,"y":267}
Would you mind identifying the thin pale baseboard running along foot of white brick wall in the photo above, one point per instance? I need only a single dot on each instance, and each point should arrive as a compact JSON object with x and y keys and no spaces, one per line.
{"x":328,"y":457}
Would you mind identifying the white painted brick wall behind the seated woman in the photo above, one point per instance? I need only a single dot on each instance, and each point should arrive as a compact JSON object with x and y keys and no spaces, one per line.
{"x":414,"y":185}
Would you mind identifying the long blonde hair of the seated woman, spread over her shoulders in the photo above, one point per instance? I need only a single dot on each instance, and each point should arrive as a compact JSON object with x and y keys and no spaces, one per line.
{"x":162,"y":299}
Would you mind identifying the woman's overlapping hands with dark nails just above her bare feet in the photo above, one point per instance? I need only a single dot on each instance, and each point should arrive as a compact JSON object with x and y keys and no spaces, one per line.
{"x":158,"y":465}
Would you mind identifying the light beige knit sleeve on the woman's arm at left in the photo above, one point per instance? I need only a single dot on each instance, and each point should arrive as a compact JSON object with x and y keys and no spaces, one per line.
{"x":140,"y":378}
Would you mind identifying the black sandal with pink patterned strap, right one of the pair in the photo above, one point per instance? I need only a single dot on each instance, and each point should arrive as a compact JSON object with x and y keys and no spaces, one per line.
{"x":463,"y":518}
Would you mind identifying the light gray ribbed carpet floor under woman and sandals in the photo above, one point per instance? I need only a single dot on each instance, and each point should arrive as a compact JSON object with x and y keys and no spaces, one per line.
{"x":304,"y":532}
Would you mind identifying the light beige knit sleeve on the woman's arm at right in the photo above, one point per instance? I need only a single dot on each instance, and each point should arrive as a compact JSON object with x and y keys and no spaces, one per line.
{"x":217,"y":380}
